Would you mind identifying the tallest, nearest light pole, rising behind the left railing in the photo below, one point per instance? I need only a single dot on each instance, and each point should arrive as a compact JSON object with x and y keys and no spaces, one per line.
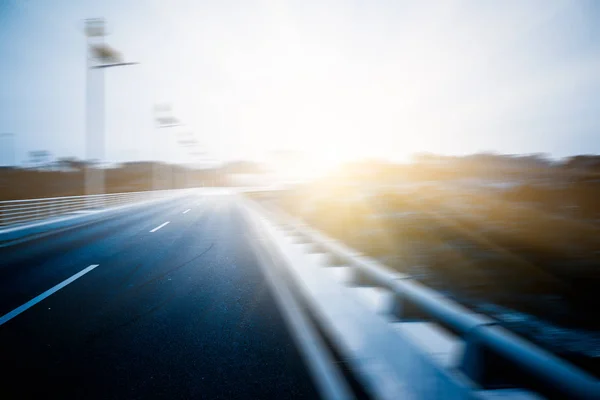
{"x":98,"y":56}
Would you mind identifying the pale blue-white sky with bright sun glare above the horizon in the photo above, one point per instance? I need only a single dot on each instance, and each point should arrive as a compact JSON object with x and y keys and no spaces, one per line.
{"x":336,"y":79}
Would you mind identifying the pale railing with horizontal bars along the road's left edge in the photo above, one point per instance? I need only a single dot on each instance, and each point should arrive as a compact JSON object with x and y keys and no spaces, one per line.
{"x":15,"y":212}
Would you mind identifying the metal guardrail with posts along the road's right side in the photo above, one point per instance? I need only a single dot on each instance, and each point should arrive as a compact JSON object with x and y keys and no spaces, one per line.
{"x":493,"y":356}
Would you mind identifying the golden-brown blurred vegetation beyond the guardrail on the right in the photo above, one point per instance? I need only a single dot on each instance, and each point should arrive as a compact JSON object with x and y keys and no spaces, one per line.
{"x":526,"y":251}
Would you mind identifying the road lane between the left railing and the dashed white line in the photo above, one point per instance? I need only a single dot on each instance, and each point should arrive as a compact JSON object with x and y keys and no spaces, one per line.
{"x":29,"y":268}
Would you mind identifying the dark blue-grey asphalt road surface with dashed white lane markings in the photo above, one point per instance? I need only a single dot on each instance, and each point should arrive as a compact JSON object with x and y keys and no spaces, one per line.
{"x":180,"y":312}
